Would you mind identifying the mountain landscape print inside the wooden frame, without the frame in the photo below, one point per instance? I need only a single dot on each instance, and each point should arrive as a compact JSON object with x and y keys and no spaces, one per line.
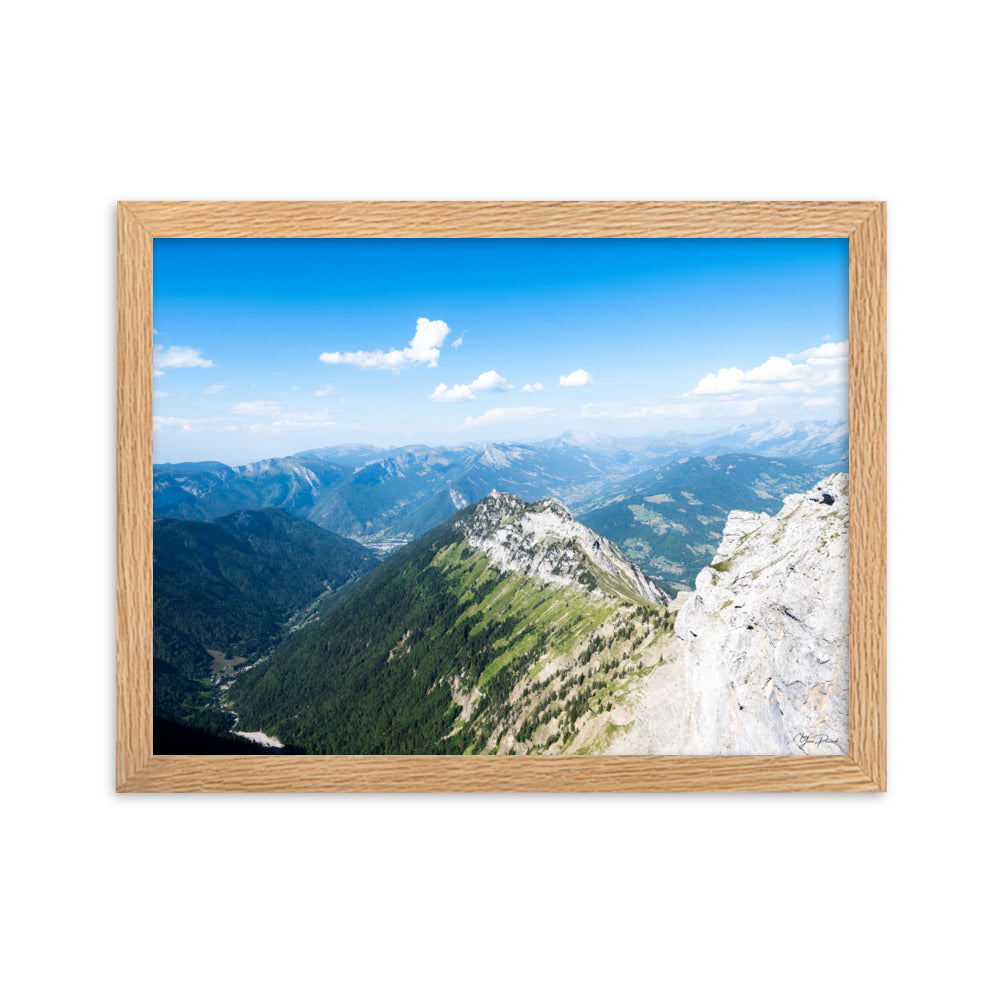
{"x":598,"y":504}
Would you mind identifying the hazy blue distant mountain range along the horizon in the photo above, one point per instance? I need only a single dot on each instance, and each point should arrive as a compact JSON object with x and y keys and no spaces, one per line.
{"x":385,"y":497}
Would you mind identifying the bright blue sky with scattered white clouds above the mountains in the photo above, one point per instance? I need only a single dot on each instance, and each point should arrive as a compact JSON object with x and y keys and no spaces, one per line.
{"x":268,"y":347}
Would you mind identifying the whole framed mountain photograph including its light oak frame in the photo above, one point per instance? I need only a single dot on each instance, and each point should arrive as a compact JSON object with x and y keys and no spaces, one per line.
{"x":501,"y":496}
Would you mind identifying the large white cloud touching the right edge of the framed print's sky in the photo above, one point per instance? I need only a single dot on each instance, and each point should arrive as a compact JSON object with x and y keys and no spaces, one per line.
{"x":797,"y":374}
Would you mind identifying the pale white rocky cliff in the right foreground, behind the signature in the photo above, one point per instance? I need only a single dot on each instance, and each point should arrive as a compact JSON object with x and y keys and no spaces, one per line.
{"x":760,"y":657}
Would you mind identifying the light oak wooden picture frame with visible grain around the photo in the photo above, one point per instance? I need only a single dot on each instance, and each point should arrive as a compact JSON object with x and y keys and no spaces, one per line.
{"x":862,"y":769}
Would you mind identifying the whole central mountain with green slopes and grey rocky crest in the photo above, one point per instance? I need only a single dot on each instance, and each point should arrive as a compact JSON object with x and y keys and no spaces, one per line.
{"x":445,"y":649}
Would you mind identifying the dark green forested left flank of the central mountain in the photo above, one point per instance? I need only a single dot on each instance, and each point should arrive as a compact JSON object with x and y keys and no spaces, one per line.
{"x":335,"y":687}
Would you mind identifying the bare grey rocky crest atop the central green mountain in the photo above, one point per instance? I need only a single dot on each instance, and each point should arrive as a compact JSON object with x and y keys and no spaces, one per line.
{"x":544,"y":541}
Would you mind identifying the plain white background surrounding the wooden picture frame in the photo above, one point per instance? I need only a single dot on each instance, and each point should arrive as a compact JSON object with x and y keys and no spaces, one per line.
{"x":809,"y":896}
